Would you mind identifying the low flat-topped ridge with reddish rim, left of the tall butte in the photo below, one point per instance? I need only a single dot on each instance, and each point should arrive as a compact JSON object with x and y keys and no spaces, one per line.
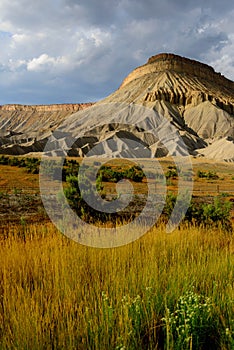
{"x":26,"y":128}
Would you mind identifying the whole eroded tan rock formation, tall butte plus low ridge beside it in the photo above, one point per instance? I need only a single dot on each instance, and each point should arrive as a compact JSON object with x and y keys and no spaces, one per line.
{"x":166,"y":100}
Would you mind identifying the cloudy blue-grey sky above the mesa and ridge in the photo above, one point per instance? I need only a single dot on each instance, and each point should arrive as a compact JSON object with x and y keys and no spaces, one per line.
{"x":73,"y":51}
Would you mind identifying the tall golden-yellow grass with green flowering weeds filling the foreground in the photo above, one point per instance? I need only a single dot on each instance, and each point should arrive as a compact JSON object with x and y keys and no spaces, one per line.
{"x":164,"y":291}
